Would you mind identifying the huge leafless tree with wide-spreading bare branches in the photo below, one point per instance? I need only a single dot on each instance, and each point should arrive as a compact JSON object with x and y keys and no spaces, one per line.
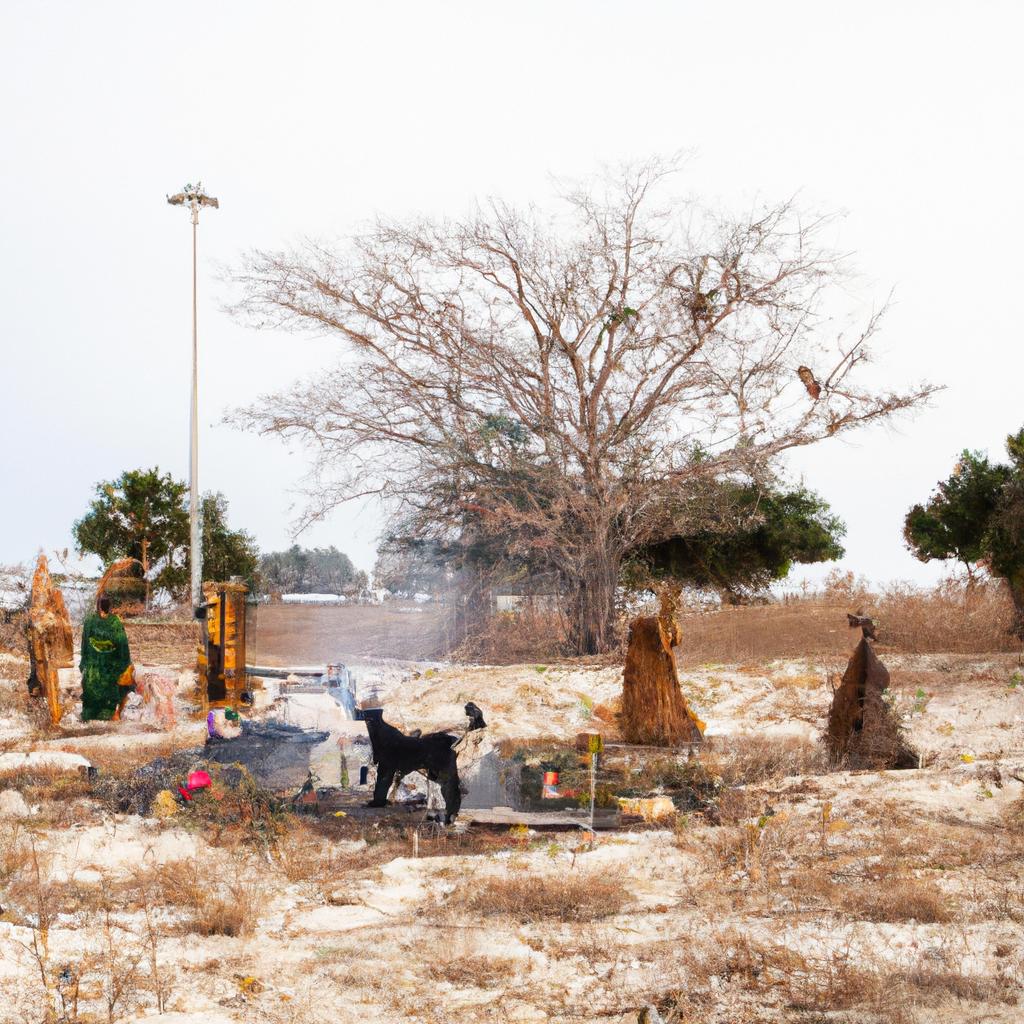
{"x":564,"y":383}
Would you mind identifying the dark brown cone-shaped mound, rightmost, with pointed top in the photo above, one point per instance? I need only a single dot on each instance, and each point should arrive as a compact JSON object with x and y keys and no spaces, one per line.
{"x":864,"y":732}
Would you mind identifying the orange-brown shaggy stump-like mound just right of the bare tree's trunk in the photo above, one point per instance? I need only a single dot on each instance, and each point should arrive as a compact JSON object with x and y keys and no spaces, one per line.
{"x":655,"y":711}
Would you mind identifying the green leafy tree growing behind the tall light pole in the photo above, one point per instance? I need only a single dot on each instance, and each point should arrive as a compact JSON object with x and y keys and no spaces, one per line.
{"x":144,"y":515}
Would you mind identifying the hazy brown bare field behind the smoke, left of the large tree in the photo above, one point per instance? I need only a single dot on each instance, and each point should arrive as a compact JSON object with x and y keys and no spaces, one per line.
{"x":294,"y":634}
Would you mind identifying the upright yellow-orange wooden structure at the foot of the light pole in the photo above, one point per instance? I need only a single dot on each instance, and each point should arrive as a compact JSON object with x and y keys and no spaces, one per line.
{"x":223,"y":651}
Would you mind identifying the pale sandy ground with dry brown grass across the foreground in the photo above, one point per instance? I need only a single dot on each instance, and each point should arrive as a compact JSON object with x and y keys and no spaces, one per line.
{"x":858,"y":898}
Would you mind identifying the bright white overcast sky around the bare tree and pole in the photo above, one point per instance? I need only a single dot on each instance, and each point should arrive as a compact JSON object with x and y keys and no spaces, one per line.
{"x":313,"y":119}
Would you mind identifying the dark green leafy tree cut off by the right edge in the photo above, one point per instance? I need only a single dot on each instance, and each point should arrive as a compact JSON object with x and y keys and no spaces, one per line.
{"x":976,"y":517}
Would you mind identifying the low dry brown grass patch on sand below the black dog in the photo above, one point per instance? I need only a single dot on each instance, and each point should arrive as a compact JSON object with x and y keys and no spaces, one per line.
{"x":530,"y":898}
